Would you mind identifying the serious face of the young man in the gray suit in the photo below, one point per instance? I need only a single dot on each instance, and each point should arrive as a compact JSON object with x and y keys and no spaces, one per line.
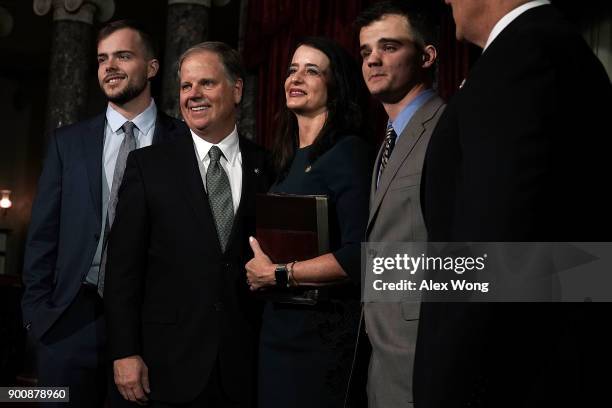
{"x":391,"y":62}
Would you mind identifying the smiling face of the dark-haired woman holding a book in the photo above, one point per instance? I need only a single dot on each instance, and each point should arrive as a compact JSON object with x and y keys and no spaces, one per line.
{"x":306,"y":83}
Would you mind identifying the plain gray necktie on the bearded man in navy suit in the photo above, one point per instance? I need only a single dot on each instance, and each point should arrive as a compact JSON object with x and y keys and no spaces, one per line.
{"x":128,"y":144}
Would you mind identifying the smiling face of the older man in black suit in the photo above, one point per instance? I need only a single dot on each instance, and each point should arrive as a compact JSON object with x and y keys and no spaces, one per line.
{"x":208,"y":97}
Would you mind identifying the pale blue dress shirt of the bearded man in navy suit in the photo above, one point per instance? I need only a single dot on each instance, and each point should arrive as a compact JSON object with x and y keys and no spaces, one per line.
{"x":113,"y":135}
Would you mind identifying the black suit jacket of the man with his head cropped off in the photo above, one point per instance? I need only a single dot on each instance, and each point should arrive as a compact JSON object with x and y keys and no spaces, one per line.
{"x":518,"y":155}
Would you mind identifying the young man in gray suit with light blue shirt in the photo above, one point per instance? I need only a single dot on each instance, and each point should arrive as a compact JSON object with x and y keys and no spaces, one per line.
{"x":398,"y":49}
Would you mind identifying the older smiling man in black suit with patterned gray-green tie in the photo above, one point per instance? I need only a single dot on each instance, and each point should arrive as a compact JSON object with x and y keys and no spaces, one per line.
{"x":181,"y":323}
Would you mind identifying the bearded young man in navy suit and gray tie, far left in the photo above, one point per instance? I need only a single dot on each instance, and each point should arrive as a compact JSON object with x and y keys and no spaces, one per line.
{"x":73,"y":210}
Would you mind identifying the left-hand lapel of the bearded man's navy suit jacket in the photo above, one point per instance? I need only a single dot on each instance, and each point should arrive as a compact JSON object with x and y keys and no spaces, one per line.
{"x":93,"y":147}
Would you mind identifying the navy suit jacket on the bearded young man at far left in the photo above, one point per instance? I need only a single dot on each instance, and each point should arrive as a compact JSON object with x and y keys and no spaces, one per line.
{"x":66,"y":219}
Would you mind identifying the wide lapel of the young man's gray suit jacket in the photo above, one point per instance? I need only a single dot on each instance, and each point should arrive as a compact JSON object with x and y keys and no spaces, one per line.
{"x":406,"y":142}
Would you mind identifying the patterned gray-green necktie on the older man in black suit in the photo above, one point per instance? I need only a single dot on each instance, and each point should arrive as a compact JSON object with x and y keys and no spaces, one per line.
{"x":219,"y":196}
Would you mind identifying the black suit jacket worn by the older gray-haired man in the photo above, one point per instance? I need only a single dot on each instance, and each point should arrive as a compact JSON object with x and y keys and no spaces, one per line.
{"x":171,"y":295}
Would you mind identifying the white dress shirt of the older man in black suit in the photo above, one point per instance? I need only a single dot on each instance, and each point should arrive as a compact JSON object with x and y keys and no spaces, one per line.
{"x":231,"y":161}
